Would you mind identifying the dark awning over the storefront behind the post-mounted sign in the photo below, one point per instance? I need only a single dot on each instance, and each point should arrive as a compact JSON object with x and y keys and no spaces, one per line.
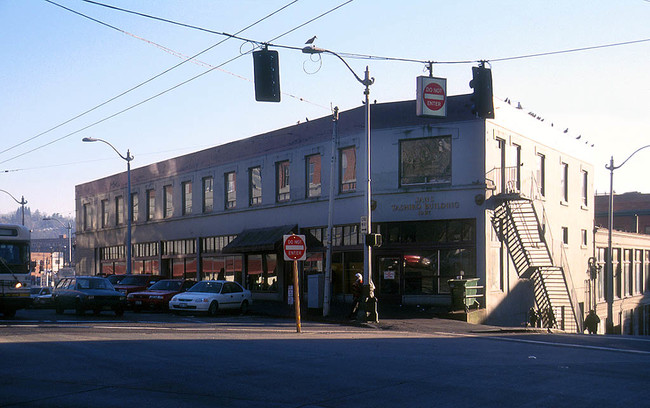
{"x":266,"y":240}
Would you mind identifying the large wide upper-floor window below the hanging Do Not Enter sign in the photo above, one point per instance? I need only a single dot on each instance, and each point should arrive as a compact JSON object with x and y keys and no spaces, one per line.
{"x":425,"y":161}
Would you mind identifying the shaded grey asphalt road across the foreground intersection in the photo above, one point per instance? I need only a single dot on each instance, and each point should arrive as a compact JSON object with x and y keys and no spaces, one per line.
{"x":161,"y":360}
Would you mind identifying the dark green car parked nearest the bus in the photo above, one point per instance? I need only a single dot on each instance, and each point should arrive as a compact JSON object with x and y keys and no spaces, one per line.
{"x":83,"y":293}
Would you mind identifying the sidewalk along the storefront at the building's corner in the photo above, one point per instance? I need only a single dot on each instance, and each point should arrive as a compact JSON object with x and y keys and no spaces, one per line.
{"x":399,"y":318}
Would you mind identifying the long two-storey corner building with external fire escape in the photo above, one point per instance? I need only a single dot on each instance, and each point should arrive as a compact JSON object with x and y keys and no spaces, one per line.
{"x":455,"y":197}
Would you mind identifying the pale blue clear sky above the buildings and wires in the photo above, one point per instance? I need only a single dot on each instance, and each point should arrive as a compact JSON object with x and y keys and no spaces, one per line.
{"x":58,"y":64}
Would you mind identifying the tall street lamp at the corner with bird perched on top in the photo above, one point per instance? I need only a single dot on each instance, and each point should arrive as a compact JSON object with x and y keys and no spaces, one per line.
{"x":368,"y":291}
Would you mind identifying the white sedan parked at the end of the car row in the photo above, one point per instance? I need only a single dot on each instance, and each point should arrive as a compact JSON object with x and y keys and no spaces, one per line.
{"x":210,"y":296}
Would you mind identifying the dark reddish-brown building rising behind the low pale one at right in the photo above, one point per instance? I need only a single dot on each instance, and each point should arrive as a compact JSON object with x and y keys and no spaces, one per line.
{"x":631,"y":212}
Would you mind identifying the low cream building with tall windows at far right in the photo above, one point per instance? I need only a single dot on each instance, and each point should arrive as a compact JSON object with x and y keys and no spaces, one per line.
{"x":631,"y":281}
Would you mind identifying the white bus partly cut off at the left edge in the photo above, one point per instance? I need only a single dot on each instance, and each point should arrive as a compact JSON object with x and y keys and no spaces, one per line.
{"x":14,"y":268}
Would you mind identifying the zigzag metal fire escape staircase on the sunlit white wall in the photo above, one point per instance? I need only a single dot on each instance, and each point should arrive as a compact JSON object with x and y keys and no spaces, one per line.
{"x":518,"y":226}
